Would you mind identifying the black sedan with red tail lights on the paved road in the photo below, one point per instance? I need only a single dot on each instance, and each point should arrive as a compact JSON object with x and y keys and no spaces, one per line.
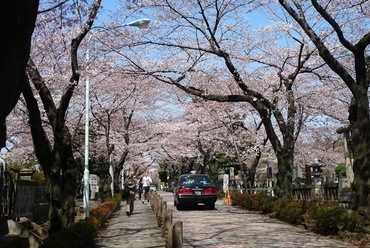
{"x":193,"y":189}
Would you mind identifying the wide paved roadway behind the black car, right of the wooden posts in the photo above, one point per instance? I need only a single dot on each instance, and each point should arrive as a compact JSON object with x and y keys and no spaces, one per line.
{"x":229,"y":226}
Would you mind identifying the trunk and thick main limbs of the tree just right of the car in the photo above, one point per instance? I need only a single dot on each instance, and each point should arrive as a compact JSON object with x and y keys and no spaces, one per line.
{"x":289,"y":124}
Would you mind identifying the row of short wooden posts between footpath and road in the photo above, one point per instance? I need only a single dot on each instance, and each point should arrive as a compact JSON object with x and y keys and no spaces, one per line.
{"x":172,"y":233}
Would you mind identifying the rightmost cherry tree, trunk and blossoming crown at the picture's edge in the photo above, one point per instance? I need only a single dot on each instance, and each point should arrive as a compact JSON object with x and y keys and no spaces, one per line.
{"x":336,"y":29}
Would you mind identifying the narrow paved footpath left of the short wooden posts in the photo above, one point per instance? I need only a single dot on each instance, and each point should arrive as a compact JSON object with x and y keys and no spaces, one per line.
{"x":139,"y":230}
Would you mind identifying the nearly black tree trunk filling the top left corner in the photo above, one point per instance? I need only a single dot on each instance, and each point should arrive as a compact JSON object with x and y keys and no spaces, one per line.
{"x":17,"y":20}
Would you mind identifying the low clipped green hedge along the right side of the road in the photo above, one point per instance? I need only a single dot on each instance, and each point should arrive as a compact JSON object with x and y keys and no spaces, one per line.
{"x":323,"y":219}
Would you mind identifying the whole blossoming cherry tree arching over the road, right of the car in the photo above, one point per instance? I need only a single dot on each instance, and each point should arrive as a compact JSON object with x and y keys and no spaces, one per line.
{"x":211,"y":50}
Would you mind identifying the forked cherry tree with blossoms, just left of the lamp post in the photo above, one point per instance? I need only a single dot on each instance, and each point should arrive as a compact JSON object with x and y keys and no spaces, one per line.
{"x":52,"y":138}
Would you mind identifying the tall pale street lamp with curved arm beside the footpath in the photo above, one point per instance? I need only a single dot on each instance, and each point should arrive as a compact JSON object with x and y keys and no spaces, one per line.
{"x":140,"y":23}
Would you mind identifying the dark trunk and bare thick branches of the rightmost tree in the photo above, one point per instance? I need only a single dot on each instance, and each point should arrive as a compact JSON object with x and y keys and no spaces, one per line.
{"x":359,"y":109}
